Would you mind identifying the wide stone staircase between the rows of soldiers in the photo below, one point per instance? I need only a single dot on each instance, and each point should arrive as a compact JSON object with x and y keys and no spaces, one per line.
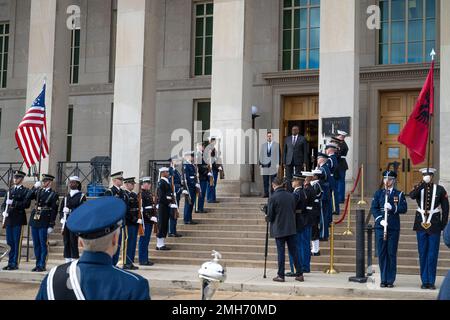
{"x":236,"y":228}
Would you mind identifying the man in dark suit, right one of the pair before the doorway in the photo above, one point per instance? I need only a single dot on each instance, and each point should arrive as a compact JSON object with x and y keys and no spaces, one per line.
{"x":295,"y":154}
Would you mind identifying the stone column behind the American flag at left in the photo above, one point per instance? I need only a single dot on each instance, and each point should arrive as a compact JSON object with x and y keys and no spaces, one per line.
{"x":49,"y":57}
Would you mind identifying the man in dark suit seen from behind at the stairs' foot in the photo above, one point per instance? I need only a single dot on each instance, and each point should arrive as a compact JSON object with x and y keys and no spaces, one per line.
{"x":281,"y":215}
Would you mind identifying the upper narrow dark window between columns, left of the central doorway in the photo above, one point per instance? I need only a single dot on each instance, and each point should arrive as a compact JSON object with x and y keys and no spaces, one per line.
{"x":203,"y":38}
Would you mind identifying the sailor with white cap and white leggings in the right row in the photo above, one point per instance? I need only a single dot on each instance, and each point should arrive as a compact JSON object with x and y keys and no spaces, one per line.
{"x":315,"y":193}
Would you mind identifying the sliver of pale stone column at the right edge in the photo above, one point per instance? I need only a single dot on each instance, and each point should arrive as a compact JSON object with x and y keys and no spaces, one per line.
{"x":444,"y":115}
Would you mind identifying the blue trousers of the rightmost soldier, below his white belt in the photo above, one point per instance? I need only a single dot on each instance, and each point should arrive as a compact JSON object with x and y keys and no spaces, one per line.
{"x":428,"y":245}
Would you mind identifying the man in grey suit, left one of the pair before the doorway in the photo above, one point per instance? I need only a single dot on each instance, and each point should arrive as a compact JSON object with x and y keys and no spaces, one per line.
{"x":269,"y":160}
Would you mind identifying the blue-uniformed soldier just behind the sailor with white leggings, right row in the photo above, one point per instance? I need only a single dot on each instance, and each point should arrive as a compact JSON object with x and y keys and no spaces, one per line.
{"x":326,"y":216}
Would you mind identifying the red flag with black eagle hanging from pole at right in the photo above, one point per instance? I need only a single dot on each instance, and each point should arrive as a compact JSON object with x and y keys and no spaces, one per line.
{"x":415,"y":133}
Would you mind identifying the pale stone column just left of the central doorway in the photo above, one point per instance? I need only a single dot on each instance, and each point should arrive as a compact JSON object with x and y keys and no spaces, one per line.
{"x":231,"y":90}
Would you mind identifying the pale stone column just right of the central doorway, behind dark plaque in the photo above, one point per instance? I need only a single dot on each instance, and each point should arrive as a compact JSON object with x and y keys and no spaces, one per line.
{"x":339,"y":70}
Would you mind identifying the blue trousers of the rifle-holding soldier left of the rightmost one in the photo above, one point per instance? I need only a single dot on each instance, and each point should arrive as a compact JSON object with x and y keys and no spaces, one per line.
{"x":387,"y":254}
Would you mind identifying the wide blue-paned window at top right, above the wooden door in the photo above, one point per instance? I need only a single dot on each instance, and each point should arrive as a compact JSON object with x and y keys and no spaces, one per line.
{"x":408,"y":31}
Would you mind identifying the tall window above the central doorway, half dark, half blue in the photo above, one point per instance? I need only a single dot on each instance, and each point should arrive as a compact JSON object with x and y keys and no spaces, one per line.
{"x":301,"y":34}
